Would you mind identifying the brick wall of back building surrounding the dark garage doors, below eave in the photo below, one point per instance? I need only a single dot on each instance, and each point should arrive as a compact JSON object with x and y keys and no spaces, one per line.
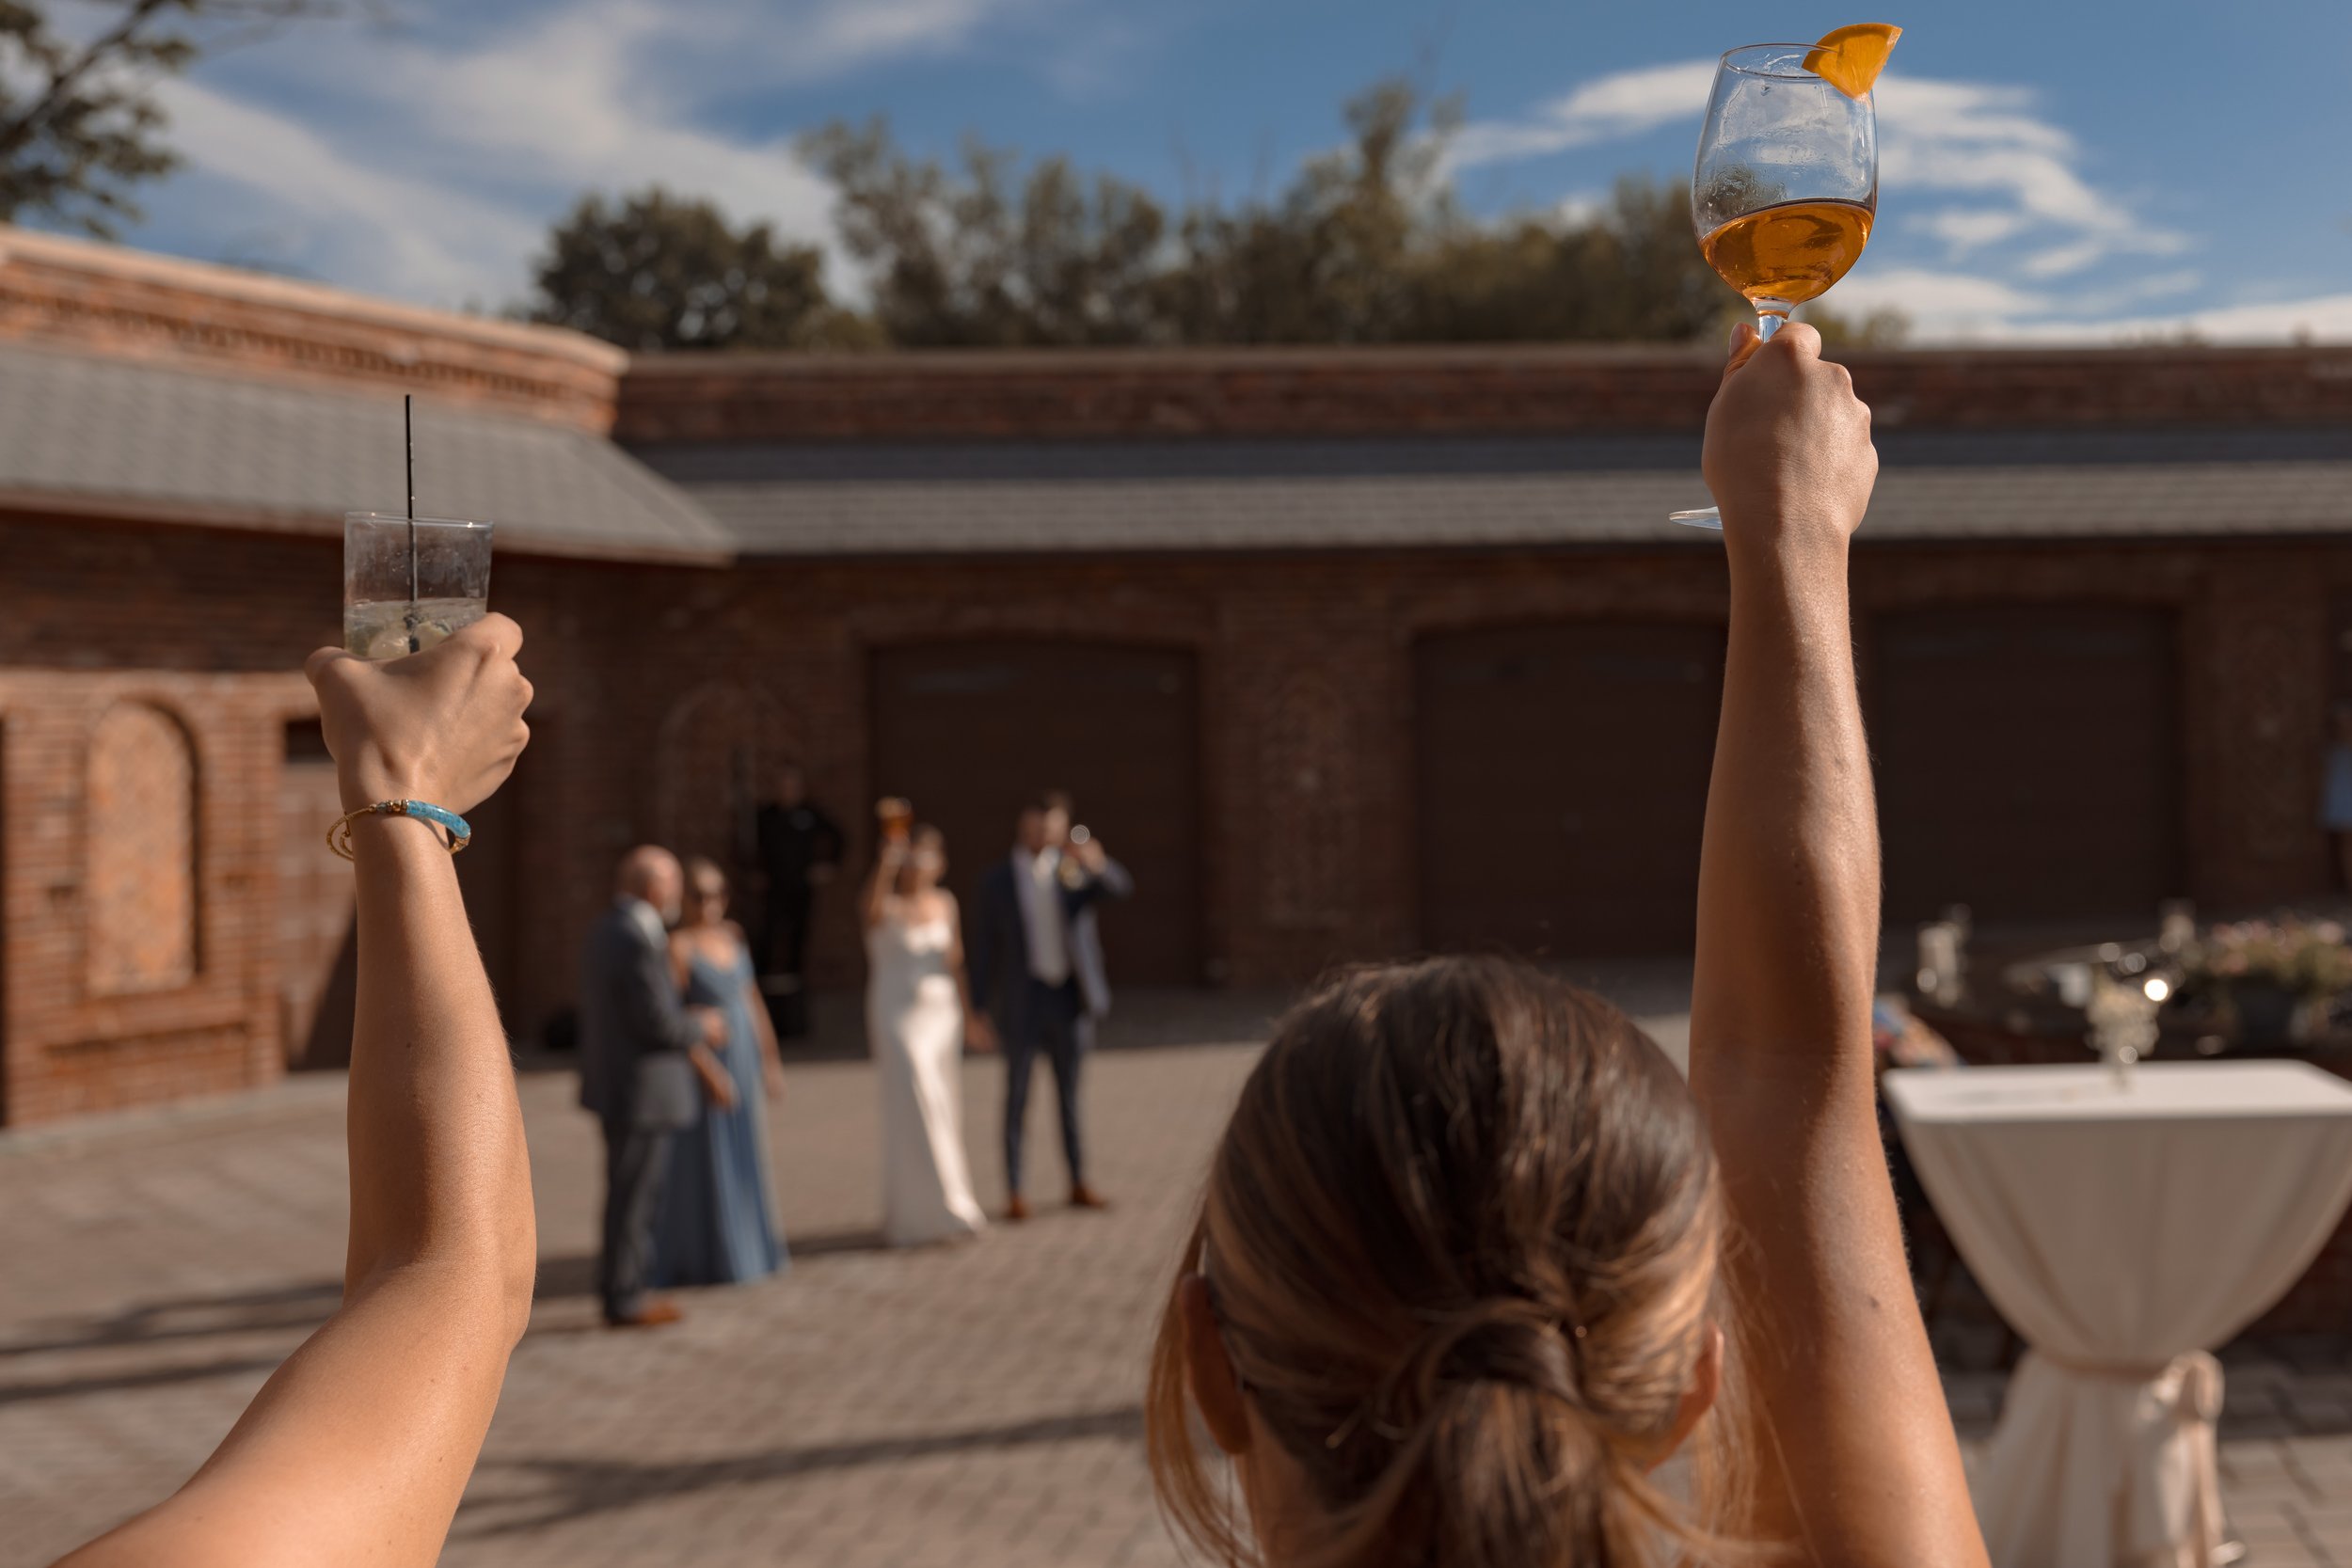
{"x":1318,"y":652}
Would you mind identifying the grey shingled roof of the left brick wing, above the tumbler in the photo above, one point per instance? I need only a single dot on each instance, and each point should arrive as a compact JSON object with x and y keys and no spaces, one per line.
{"x":128,"y":438}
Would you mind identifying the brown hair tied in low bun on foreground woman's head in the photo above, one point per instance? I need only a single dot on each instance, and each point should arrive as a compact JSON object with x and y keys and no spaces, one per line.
{"x":1462,"y":1242}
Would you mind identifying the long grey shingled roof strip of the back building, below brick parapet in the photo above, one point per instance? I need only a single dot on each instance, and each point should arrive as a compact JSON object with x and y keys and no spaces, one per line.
{"x":1347,"y":495}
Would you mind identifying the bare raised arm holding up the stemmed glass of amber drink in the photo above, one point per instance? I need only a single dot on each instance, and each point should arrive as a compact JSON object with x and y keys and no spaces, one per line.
{"x":1850,"y":1416}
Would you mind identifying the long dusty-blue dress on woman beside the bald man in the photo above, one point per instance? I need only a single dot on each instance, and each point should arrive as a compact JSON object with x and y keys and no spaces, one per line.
{"x":716,"y":1219}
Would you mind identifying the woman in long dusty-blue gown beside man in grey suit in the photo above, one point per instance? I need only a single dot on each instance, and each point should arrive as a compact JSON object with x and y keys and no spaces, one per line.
{"x":719,"y":1221}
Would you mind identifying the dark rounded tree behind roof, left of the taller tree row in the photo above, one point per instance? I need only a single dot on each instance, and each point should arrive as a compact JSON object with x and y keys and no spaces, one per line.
{"x":660,"y":272}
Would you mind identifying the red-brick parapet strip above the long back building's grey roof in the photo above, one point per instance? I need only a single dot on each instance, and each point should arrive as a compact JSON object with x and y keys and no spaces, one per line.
{"x":1434,"y":391}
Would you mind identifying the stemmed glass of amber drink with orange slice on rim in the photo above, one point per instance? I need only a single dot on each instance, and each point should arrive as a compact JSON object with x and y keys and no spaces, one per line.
{"x":1789,"y":173}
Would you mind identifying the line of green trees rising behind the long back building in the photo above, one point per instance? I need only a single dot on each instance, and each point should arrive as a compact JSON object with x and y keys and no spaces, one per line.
{"x":1365,"y":246}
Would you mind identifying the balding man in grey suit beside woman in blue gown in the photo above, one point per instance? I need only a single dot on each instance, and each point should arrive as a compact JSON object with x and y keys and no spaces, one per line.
{"x":641,"y":1057}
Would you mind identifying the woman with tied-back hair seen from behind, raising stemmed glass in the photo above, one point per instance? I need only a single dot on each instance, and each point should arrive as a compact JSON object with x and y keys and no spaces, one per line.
{"x":1474,"y":1261}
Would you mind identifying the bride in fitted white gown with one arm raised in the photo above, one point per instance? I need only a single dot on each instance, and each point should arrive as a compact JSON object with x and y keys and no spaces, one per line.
{"x":916,"y":1017}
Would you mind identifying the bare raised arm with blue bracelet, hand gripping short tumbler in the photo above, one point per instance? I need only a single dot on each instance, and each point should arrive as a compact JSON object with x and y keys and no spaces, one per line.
{"x":356,"y":1452}
